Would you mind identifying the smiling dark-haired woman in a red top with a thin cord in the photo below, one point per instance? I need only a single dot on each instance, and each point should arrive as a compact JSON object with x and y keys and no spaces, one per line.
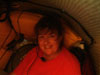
{"x":49,"y":57}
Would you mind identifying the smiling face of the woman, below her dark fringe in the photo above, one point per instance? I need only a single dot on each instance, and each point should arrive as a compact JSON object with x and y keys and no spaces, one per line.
{"x":48,"y":42}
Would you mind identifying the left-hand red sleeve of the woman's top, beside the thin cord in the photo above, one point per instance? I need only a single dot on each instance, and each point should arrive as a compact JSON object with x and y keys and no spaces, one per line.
{"x":23,"y":64}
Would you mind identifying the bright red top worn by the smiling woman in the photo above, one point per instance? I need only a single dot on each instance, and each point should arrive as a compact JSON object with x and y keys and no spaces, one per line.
{"x":64,"y":64}
